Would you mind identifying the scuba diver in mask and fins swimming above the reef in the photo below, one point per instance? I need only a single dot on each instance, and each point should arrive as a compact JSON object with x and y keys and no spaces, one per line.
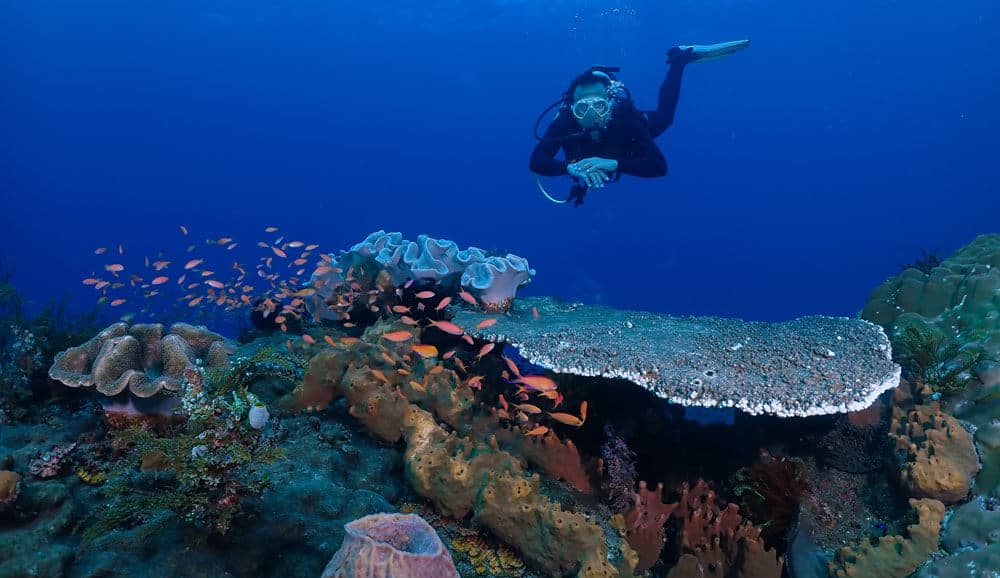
{"x":603,"y":134}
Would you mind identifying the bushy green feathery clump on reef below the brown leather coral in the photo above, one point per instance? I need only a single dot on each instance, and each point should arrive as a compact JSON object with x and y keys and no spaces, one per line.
{"x":203,"y":474}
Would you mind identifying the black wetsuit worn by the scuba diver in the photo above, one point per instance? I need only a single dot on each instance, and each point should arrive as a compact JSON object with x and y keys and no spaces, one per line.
{"x":628,"y":138}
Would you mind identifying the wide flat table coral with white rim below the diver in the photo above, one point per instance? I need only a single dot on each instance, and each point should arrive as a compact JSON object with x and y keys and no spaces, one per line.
{"x":808,"y":366}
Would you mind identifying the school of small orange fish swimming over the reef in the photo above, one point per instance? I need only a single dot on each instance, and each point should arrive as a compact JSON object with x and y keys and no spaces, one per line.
{"x":283,"y":298}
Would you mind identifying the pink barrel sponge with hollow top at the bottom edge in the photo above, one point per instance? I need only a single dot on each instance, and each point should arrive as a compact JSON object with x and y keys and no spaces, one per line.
{"x":391,"y":546}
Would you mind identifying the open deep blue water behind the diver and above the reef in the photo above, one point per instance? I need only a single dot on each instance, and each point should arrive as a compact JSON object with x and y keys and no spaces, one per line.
{"x":803,"y":171}
